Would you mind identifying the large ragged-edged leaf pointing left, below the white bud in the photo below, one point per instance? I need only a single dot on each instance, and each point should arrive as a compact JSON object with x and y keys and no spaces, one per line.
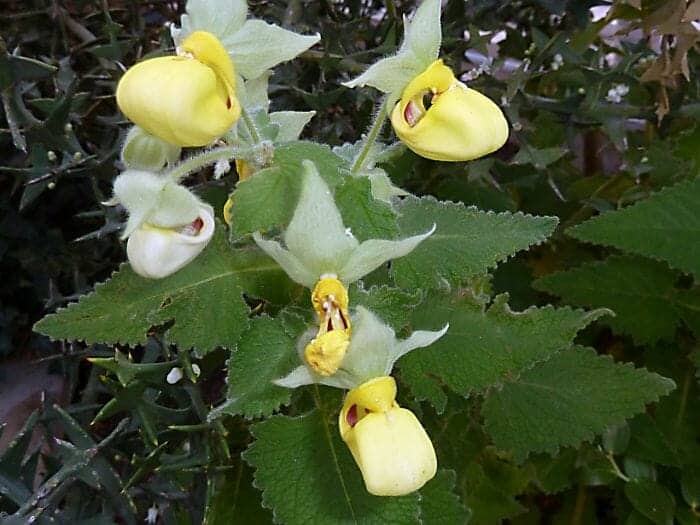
{"x":204,"y":300}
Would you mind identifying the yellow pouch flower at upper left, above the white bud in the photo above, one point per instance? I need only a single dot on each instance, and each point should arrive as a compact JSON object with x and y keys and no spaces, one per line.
{"x":185,"y":100}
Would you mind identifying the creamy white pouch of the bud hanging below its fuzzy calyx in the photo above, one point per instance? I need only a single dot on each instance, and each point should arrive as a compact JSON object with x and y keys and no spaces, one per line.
{"x":156,"y":252}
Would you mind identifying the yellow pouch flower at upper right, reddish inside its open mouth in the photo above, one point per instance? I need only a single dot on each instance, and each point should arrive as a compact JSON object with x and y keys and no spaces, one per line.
{"x":440,"y":118}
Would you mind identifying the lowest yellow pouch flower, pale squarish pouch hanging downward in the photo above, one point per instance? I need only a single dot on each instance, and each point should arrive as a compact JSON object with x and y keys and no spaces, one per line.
{"x":389,"y":444}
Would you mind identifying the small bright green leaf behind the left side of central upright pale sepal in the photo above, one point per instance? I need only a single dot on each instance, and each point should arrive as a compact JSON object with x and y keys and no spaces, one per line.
{"x":270,"y":196}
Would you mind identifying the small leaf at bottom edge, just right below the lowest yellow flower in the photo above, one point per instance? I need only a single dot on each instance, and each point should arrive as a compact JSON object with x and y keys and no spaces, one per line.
{"x":439,"y":504}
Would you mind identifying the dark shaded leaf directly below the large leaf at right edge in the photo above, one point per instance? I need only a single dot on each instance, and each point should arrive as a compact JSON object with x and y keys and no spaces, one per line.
{"x":640,"y":292}
